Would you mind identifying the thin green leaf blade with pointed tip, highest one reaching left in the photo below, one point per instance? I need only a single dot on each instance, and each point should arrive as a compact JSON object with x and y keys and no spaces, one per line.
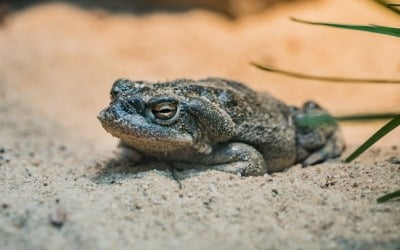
{"x":369,"y":28}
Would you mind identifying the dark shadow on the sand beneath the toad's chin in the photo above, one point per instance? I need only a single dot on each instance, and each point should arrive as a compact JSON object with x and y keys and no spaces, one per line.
{"x":123,"y":165}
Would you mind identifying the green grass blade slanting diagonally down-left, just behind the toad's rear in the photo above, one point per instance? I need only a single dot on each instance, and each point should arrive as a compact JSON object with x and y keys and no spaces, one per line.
{"x":392,"y":124}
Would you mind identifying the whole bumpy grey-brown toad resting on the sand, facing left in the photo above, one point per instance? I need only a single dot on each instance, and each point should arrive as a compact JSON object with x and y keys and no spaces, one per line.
{"x":218,"y":123}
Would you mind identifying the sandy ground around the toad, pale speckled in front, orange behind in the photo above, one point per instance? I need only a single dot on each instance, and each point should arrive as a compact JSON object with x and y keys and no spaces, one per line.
{"x":58,"y":166}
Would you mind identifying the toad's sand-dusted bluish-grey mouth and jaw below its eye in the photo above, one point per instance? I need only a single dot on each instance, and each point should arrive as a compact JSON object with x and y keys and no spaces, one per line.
{"x":131,"y":127}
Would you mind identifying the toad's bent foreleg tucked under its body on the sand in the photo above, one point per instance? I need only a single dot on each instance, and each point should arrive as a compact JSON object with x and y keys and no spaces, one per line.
{"x":237,"y":158}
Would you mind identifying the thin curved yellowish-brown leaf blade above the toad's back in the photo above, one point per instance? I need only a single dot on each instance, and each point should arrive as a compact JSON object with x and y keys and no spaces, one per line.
{"x":323,"y":78}
